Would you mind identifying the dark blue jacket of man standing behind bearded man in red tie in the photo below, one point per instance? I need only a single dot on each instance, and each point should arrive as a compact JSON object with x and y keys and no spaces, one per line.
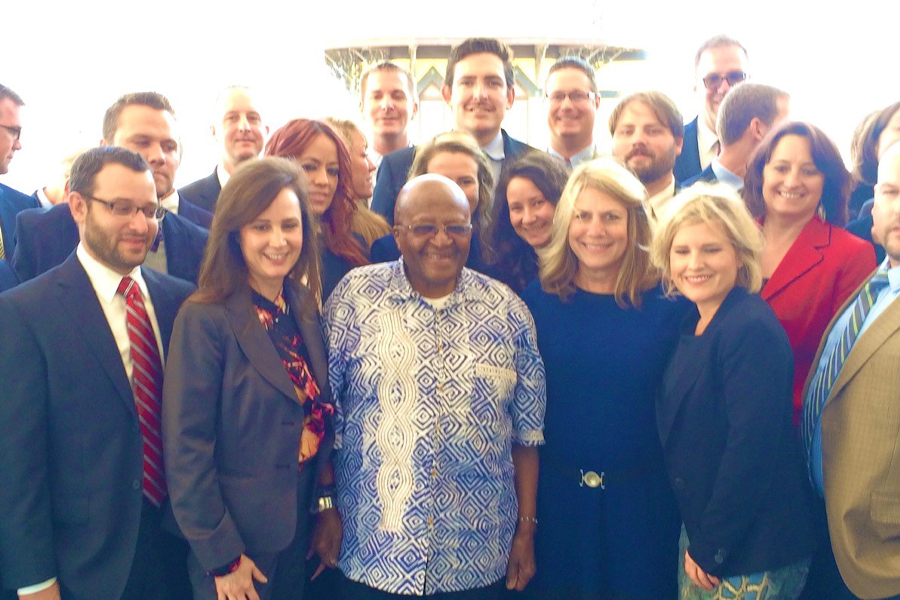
{"x":49,"y":235}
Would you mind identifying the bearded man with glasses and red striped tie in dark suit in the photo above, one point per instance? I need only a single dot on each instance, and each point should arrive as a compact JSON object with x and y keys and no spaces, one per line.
{"x":83,"y":478}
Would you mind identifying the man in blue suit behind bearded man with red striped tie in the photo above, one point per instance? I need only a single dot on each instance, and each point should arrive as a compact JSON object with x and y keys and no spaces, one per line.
{"x":144,"y":123}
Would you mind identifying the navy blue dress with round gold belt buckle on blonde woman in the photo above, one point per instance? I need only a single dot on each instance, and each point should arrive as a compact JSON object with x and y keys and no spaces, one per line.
{"x":604,"y":366}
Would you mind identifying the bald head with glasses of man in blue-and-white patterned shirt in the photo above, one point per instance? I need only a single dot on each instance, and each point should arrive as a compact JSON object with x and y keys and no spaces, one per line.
{"x":433,"y":229}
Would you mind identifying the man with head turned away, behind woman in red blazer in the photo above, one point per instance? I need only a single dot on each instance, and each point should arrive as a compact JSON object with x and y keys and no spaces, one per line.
{"x":746,"y":115}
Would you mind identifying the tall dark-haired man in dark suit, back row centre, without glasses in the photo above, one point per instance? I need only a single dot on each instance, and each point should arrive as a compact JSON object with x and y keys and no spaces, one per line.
{"x":479,"y":87}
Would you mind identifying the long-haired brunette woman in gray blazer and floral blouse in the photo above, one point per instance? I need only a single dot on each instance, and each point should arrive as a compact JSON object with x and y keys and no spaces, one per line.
{"x":246,"y":406}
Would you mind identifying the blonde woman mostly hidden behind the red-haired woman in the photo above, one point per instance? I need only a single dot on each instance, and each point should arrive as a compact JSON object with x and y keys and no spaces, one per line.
{"x":365,"y":221}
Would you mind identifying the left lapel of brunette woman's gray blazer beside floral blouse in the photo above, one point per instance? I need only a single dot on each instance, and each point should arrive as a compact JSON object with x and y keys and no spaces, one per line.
{"x":256,"y":344}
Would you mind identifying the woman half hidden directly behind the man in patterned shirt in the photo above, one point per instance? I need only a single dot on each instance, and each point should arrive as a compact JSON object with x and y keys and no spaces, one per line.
{"x":457,"y":156}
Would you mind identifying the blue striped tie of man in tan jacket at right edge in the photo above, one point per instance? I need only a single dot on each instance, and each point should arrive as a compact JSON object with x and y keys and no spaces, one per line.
{"x":813,"y":407}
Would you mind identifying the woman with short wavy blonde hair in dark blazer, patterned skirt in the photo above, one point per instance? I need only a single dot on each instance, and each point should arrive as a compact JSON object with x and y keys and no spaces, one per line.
{"x":724,"y":411}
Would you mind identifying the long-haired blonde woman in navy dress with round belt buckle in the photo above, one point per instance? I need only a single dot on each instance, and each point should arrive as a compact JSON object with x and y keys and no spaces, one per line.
{"x":608,"y":521}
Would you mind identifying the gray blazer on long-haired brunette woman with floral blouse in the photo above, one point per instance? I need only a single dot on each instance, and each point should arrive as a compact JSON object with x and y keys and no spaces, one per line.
{"x":231,"y":429}
